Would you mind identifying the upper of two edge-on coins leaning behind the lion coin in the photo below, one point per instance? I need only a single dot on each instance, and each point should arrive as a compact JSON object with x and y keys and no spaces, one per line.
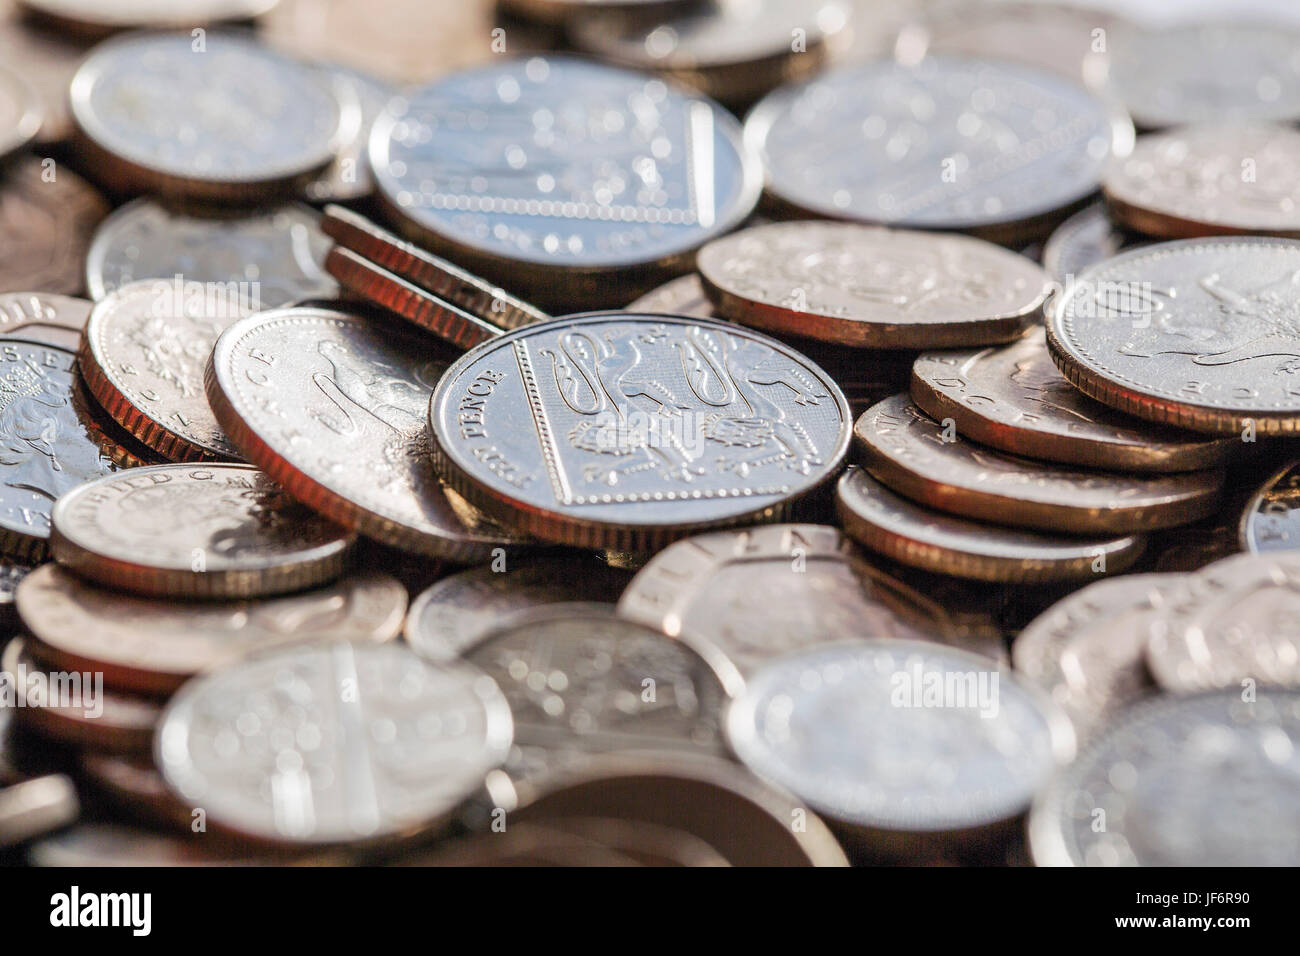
{"x":435,"y":275}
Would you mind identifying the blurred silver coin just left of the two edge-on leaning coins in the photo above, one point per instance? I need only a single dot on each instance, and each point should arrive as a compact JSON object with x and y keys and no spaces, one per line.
{"x":268,"y":258}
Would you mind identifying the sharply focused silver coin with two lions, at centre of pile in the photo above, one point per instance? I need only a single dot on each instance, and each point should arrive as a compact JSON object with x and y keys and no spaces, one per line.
{"x":627,"y":431}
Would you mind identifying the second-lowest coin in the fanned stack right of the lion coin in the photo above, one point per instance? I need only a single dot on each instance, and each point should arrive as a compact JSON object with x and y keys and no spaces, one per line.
{"x":930,"y":464}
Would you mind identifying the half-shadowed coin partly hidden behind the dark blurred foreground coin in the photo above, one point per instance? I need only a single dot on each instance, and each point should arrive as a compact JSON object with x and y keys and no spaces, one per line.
{"x":461,"y":609}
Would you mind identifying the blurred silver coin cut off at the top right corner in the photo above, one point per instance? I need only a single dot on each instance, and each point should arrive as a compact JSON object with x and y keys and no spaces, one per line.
{"x":1208,"y":72}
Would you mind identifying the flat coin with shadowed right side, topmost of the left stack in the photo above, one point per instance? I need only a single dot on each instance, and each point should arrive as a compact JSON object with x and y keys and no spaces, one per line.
{"x":218,"y":531}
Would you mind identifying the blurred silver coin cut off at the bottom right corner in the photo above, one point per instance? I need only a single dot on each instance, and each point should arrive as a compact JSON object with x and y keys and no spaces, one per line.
{"x":1165,"y":773}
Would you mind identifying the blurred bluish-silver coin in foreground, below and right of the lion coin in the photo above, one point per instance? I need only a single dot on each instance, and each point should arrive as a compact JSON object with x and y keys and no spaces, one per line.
{"x":904,"y":745}
